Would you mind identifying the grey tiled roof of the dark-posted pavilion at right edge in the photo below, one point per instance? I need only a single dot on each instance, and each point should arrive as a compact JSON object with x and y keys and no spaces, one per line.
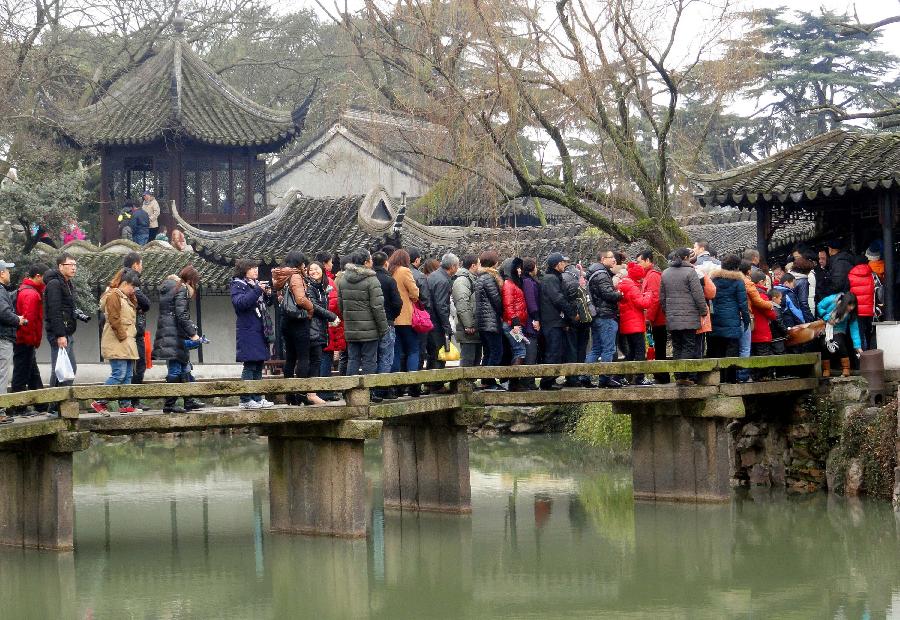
{"x":829,"y":164}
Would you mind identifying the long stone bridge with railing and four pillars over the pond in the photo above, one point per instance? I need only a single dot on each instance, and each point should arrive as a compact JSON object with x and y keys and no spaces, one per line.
{"x":316,"y":474}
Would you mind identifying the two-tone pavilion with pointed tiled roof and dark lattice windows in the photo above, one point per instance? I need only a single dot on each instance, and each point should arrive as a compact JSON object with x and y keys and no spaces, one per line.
{"x":174,"y":128}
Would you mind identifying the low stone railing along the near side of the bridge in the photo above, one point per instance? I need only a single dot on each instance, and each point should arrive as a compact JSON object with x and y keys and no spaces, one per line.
{"x":356,"y":389}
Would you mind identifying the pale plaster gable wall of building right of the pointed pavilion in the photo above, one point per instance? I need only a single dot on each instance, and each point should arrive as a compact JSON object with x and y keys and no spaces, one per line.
{"x":340,"y":168}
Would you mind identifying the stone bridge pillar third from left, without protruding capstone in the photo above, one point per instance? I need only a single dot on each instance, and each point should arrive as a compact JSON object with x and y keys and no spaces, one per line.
{"x":426,"y":464}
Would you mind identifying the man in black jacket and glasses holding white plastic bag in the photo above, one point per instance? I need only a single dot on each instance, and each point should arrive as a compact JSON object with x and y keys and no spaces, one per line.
{"x":60,"y":314}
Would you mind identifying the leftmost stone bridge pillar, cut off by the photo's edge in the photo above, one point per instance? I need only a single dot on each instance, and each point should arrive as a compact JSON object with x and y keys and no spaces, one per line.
{"x":37,"y":508}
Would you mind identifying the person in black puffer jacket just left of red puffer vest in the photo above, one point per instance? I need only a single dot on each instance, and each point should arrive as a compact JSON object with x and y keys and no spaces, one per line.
{"x":489,"y":312}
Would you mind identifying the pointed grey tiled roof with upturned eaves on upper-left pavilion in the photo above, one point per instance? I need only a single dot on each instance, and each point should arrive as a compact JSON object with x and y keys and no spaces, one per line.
{"x":176,"y":95}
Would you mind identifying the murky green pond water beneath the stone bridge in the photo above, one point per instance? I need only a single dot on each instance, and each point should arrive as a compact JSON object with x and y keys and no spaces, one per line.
{"x":178,"y":529}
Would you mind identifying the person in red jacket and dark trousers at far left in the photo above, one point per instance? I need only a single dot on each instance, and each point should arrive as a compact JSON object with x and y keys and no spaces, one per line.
{"x":29,"y":304}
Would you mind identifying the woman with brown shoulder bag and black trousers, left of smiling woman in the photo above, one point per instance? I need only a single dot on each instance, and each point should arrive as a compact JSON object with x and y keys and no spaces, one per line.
{"x":290,"y":278}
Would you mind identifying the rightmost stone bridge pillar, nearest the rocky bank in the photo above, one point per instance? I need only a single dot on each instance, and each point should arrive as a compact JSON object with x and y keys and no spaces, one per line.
{"x":678,"y":453}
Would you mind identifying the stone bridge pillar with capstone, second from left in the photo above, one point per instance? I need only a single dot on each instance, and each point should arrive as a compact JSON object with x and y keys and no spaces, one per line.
{"x":317,"y":478}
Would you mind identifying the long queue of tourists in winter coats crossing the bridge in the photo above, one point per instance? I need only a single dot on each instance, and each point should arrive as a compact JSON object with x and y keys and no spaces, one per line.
{"x":400,"y":310}
